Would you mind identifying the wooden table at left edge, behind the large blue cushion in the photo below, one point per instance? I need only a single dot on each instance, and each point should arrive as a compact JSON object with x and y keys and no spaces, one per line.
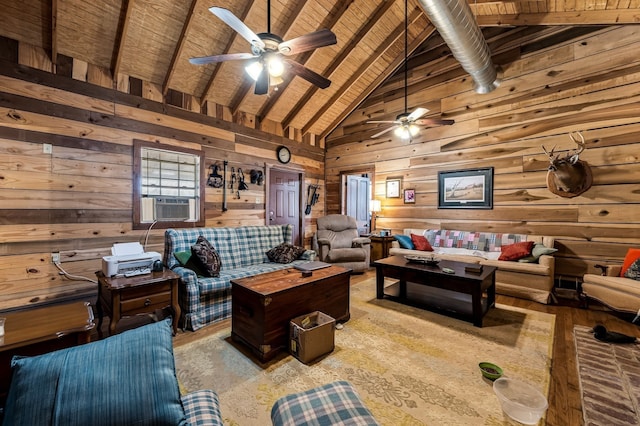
{"x":37,"y":331}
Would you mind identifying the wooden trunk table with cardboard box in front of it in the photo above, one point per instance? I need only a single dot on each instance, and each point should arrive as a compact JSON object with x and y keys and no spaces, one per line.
{"x":263,"y":305}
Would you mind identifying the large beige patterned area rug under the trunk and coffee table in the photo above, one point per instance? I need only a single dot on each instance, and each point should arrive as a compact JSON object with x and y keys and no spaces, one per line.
{"x":410,"y":366}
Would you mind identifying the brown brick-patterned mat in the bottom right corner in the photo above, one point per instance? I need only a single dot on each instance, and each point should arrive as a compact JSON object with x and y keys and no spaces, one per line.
{"x":609,"y":380}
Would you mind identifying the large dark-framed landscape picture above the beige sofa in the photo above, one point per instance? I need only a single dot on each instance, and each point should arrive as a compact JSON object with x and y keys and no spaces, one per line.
{"x":466,"y":189}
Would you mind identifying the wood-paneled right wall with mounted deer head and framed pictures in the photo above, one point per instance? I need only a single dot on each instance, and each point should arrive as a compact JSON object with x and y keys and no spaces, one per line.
{"x":554,"y":81}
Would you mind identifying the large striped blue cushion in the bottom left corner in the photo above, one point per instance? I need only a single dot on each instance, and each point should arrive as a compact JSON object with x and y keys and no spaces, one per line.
{"x":125,"y":379}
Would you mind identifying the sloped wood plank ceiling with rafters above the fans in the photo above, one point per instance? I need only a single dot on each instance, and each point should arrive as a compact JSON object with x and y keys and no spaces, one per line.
{"x":153,"y":40}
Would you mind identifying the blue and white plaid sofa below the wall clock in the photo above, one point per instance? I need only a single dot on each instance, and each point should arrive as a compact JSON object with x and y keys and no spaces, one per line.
{"x":242,"y":251}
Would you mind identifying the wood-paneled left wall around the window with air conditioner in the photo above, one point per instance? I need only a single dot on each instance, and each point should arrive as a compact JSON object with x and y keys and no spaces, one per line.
{"x":76,"y":200}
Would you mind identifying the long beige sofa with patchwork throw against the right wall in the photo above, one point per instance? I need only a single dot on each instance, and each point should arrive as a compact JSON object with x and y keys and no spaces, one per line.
{"x":533,"y":281}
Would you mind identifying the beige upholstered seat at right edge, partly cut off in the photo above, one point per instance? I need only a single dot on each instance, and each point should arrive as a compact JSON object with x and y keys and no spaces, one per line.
{"x":619,"y":293}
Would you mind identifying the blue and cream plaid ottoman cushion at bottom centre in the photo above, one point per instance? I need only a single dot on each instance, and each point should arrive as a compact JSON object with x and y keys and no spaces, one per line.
{"x":335,"y":403}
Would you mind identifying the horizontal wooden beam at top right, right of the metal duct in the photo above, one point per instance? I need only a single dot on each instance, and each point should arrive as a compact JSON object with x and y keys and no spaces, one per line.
{"x":581,"y":17}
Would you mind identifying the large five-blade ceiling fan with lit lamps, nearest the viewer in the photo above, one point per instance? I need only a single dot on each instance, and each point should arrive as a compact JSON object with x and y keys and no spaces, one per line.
{"x":268,"y":57}
